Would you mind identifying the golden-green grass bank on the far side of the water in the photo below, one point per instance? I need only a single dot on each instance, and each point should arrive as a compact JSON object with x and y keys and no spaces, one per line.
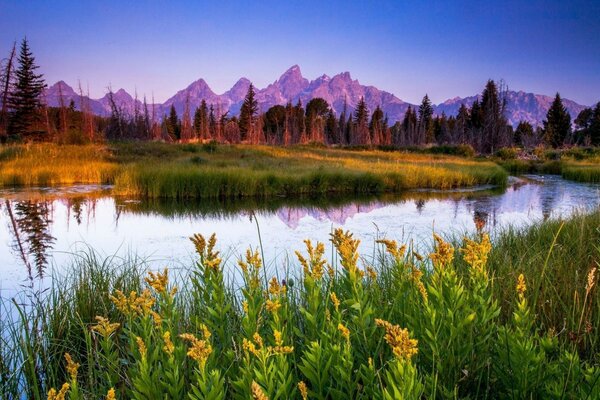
{"x":201,"y":171}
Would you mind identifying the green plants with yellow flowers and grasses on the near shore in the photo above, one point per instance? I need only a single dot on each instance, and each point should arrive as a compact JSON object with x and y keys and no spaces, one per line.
{"x":515,"y":321}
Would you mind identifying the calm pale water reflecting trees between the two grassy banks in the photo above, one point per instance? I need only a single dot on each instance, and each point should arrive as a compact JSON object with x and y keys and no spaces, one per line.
{"x":40,"y":229}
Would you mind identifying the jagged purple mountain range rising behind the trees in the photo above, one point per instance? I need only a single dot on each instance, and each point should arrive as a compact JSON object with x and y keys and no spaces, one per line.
{"x":339,"y":91}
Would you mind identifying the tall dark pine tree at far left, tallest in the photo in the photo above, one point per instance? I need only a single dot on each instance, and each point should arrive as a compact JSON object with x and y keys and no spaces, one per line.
{"x":25,"y":99}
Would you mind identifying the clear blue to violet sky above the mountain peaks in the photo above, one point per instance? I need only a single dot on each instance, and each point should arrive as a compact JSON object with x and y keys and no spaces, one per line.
{"x":442,"y":48}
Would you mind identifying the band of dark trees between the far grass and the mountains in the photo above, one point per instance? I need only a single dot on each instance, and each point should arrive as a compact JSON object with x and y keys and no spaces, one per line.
{"x":482,"y":125}
